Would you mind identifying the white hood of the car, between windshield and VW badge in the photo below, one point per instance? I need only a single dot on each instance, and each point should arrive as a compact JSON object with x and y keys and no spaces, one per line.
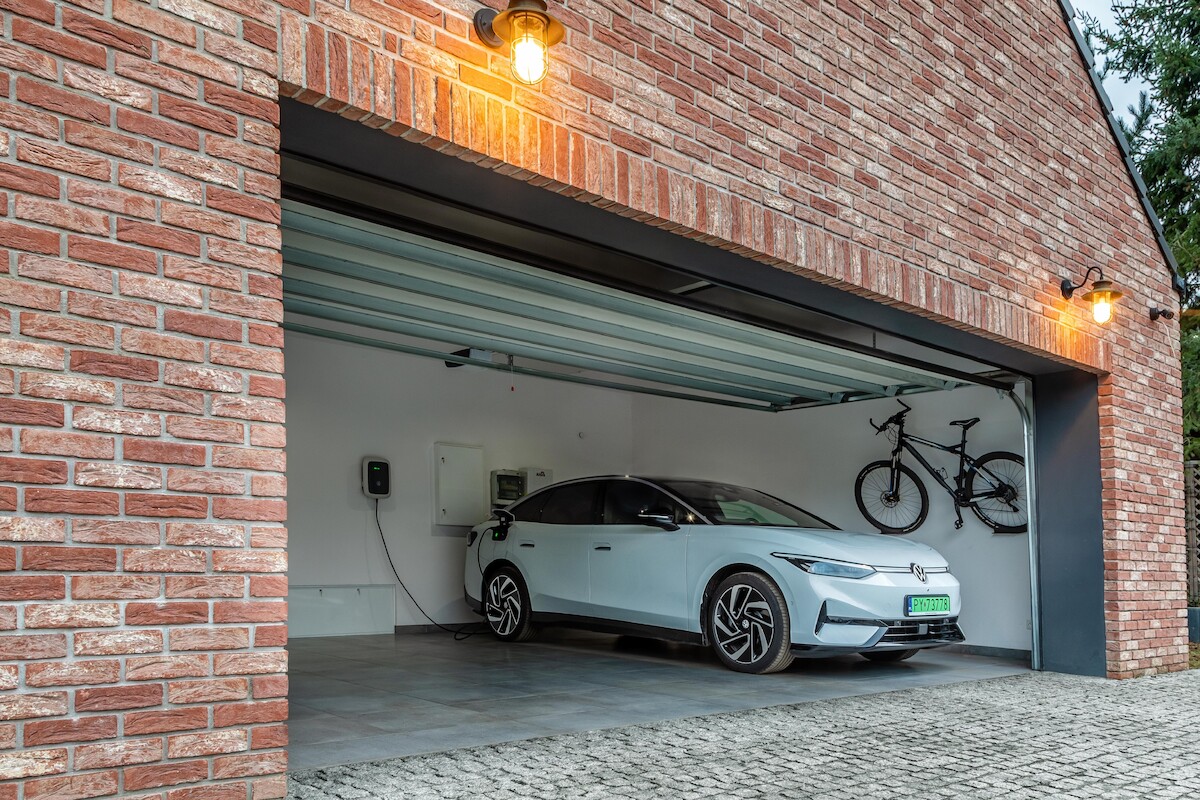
{"x":874,"y":550}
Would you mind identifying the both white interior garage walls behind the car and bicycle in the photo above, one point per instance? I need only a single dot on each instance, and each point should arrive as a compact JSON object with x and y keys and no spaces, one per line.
{"x":349,"y":401}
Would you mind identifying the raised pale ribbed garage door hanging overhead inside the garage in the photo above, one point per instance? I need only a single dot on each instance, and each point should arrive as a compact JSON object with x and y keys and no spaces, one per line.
{"x":358,"y":281}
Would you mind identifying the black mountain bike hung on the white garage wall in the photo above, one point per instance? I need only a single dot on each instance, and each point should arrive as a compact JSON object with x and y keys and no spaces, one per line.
{"x":893,"y":500}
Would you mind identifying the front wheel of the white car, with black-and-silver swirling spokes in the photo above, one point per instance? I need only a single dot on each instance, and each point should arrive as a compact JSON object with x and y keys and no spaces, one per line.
{"x":749,"y":627}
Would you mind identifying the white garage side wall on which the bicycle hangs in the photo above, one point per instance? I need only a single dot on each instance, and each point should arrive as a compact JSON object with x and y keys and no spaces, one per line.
{"x":812,"y":458}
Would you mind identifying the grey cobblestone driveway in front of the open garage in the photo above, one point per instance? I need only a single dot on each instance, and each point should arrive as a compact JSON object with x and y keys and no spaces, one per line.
{"x":1035,"y":736}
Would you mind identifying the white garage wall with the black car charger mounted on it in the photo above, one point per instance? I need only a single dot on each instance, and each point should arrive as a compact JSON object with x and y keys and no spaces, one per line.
{"x":347,"y":401}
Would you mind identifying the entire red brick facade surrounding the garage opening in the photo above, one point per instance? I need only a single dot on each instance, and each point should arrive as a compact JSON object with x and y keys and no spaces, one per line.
{"x":944,"y":158}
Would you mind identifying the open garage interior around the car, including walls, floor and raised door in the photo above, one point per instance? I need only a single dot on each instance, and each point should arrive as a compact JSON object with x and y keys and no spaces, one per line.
{"x":472,"y":372}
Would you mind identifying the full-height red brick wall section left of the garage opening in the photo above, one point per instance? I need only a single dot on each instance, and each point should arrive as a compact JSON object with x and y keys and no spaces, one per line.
{"x":141,"y":402}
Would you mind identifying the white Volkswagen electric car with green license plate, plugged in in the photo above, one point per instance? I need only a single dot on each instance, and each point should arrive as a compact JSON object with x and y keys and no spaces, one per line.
{"x":759,"y":580}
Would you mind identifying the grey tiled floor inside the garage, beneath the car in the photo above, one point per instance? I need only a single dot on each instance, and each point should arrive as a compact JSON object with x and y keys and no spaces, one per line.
{"x":359,"y":699}
